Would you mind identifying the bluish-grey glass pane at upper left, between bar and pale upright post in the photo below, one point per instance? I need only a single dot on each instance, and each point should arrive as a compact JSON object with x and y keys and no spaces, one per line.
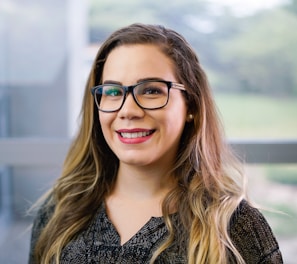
{"x":33,"y":69}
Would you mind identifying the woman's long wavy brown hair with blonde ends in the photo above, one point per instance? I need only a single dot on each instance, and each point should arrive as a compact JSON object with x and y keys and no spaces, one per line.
{"x":210,"y":183}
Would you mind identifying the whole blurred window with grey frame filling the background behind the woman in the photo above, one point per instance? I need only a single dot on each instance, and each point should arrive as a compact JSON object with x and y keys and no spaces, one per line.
{"x":246,"y":48}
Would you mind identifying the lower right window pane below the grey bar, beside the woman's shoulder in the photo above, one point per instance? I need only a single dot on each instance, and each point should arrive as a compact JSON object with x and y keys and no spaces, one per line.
{"x":274,"y":188}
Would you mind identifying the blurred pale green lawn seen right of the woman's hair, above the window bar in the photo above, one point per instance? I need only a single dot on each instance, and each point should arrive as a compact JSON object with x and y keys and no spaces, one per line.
{"x":258,"y":116}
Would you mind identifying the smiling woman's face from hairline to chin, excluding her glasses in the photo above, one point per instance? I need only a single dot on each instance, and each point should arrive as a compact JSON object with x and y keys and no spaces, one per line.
{"x":141,"y":137}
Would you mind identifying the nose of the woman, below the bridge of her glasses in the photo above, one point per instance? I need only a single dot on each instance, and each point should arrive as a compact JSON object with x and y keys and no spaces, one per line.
{"x":130,"y":108}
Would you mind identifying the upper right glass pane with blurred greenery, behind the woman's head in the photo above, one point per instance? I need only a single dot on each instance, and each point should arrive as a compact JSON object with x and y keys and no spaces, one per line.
{"x":247,"y":48}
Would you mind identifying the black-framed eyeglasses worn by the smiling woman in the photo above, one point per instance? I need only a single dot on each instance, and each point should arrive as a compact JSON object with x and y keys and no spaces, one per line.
{"x":149,"y":94}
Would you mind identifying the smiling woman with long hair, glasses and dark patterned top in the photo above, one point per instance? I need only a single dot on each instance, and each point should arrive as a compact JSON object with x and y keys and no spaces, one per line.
{"x":149,"y":178}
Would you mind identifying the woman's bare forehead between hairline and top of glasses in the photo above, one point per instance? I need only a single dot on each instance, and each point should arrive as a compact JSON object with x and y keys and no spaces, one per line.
{"x":129,"y":63}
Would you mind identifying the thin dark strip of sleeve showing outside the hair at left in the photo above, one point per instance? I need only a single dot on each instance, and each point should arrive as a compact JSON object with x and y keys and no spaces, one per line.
{"x":41,"y":219}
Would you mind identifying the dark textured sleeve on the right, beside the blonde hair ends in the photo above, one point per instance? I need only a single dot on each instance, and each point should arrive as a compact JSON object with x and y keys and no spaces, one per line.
{"x":253,"y":237}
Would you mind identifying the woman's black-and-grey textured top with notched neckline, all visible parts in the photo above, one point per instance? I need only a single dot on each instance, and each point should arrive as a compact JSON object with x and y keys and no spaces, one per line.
{"x":100,"y":242}
